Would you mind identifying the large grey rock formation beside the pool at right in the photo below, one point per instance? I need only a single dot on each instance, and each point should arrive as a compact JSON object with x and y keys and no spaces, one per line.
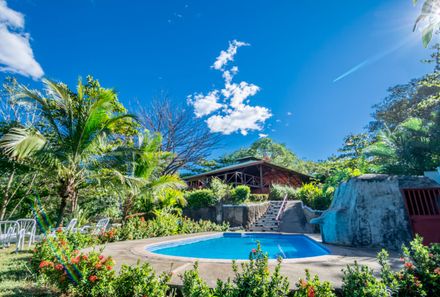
{"x":369,"y":211}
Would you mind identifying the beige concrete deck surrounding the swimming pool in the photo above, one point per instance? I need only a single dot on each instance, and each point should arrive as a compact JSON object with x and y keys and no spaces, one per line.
{"x":328,"y":267}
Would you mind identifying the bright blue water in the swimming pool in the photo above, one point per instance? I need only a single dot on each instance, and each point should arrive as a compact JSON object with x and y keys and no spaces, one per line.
{"x":237,"y":246}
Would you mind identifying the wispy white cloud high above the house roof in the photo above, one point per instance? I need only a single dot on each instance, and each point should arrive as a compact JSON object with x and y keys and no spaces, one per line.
{"x":229,"y":108}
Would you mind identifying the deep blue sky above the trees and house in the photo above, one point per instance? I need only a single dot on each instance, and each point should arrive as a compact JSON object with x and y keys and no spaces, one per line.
{"x":319,"y":65}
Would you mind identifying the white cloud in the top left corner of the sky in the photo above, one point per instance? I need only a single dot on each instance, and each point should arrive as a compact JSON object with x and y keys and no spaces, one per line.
{"x":16,"y":54}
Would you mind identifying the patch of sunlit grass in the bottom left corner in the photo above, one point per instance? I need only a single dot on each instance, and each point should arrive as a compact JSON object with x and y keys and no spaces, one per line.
{"x":16,"y":279}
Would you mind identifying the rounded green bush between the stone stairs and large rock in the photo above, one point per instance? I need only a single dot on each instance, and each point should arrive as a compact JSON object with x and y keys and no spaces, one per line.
{"x":314,"y":197}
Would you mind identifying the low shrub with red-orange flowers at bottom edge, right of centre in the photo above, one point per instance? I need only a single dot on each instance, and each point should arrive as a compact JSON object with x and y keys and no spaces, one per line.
{"x":313,"y":287}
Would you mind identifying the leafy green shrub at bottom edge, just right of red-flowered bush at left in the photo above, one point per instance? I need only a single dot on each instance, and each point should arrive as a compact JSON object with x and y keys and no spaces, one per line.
{"x":140,"y":280}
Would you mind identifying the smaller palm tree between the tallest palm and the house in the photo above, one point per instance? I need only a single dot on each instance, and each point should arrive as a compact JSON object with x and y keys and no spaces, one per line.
{"x":139,"y":179}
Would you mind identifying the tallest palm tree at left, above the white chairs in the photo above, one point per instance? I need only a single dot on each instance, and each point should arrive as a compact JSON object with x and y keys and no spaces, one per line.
{"x":67,"y":143}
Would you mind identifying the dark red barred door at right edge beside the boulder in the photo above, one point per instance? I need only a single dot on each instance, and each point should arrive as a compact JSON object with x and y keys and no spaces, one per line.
{"x":423,"y":207}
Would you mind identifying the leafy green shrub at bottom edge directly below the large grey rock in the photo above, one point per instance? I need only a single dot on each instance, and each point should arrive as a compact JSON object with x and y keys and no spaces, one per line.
{"x":359,"y":281}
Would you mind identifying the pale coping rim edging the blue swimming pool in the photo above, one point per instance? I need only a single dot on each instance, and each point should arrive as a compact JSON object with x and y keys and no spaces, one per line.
{"x":150,"y":254}
